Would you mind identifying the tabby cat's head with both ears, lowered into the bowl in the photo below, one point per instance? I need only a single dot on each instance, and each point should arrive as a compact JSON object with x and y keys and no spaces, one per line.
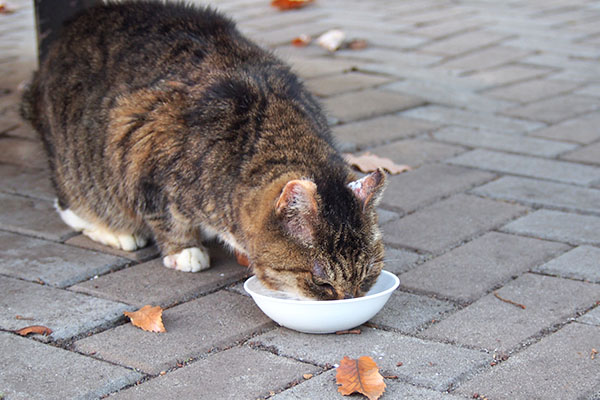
{"x":322,"y":240}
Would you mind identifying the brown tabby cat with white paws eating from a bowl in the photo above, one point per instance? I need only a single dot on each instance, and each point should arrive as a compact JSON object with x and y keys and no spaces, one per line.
{"x":162,"y":121}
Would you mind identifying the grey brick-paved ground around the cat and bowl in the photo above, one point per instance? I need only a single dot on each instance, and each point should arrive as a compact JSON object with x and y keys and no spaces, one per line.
{"x":495,"y":105}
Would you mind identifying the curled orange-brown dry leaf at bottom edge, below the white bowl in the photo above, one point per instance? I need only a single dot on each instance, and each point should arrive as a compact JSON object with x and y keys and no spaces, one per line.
{"x":360,"y":376}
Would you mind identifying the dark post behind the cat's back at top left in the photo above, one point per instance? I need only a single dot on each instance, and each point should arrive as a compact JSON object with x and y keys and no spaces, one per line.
{"x":49,"y":16}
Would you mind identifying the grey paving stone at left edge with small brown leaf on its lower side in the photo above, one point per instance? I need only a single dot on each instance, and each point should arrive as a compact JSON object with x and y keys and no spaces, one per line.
{"x":68,"y":314}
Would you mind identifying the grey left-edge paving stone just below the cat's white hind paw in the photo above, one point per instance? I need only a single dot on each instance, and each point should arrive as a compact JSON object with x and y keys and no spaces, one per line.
{"x":53,"y":263}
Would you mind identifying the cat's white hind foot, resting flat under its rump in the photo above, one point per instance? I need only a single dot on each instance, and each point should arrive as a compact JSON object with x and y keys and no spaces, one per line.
{"x":100,"y":233}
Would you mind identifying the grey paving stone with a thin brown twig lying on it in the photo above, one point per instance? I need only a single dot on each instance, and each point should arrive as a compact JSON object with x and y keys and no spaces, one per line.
{"x":492,"y":324}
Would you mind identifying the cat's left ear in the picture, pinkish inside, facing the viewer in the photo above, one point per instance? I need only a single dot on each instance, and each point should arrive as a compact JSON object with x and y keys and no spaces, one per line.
{"x":297,"y":209}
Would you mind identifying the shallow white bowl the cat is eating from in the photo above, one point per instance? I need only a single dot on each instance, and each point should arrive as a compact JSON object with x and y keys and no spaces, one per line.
{"x":313,"y":316}
